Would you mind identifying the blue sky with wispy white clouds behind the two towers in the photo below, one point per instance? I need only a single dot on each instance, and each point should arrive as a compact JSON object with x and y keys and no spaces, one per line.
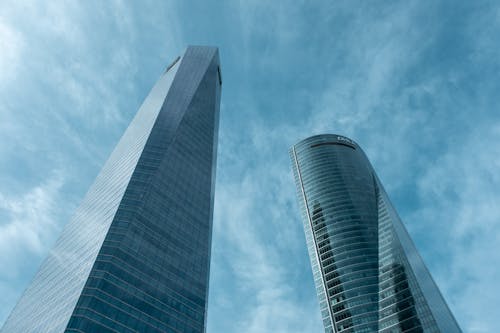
{"x":415,"y":83}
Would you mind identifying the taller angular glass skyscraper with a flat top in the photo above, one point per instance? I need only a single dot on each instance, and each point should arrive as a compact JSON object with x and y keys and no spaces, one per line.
{"x":135,"y":257}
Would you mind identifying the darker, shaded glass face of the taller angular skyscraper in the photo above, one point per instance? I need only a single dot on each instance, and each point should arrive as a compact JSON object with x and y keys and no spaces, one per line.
{"x":151,"y":274}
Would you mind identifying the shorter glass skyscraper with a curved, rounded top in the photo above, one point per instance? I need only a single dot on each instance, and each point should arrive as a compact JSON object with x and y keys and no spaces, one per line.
{"x":368,"y":274}
